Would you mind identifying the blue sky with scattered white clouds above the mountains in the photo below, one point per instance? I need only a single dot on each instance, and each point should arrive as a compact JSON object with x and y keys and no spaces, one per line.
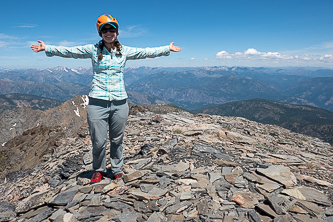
{"x":270,"y":33}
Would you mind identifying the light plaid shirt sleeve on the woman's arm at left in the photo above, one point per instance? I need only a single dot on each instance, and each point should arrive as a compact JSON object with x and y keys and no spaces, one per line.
{"x":77,"y":52}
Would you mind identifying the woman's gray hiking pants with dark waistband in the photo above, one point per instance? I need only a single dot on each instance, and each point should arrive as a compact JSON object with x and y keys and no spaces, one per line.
{"x":103,"y":114}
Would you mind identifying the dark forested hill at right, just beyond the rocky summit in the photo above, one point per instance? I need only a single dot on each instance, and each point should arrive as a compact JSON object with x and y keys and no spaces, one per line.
{"x":307,"y":120}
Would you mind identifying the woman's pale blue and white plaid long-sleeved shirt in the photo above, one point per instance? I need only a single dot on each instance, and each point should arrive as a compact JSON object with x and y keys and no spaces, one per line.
{"x":108,"y":81}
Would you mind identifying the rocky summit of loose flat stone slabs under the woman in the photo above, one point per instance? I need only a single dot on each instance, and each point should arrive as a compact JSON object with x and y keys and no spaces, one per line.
{"x":180,"y":167}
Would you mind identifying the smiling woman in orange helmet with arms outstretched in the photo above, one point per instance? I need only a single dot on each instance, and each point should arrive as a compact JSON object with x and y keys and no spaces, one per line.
{"x":108,"y":106}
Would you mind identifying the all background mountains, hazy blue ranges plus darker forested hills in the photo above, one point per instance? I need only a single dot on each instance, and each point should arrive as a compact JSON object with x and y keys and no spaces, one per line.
{"x":191,"y":89}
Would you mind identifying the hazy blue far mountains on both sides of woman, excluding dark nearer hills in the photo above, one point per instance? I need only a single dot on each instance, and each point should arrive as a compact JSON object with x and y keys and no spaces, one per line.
{"x":189,"y":88}
